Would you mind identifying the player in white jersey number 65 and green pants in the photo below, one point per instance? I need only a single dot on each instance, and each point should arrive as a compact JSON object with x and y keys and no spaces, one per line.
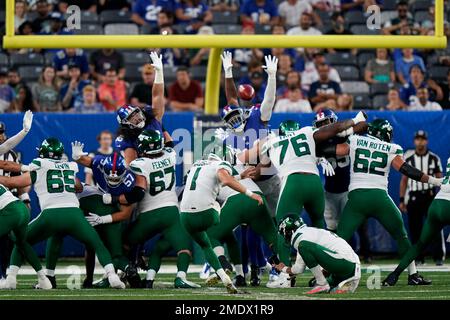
{"x":55,"y":185}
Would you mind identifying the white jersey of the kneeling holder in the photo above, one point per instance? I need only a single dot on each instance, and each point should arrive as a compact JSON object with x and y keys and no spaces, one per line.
{"x":332,"y":245}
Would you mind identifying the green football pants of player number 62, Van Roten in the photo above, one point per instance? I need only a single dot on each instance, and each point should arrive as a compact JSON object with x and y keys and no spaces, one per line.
{"x":376,"y":203}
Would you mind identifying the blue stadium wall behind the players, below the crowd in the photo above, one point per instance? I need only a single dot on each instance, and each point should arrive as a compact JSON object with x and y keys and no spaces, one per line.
{"x":70,"y":127}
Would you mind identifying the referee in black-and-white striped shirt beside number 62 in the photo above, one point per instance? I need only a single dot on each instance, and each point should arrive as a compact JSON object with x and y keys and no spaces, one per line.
{"x":420,"y":195}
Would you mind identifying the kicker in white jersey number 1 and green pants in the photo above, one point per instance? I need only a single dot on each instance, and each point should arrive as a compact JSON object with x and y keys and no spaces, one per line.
{"x":199,"y":209}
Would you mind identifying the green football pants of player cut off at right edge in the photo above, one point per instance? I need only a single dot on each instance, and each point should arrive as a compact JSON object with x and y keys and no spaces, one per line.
{"x":438,"y":217}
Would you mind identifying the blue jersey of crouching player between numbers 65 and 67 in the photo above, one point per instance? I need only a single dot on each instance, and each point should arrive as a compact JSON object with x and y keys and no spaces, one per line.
{"x":125,"y":186}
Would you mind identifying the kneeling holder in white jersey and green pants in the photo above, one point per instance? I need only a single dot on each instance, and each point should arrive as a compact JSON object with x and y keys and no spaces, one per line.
{"x":321,"y":248}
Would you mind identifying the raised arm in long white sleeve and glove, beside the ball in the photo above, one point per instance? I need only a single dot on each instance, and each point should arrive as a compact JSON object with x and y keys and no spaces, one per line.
{"x":271,"y":89}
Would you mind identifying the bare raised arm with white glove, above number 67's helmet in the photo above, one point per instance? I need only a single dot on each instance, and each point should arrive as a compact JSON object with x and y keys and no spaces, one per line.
{"x":158,"y":100}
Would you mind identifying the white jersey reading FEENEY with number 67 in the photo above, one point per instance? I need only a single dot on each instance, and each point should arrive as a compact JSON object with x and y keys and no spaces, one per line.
{"x":160,"y":176}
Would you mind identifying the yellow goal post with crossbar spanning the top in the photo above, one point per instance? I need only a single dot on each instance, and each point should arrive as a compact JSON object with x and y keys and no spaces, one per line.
{"x":218,"y":42}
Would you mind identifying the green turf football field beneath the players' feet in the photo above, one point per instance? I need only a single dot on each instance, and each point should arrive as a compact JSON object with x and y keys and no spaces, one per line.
{"x":440,"y":289}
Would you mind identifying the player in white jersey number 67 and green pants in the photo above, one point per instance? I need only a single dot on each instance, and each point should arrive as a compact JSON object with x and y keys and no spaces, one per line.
{"x":158,"y":207}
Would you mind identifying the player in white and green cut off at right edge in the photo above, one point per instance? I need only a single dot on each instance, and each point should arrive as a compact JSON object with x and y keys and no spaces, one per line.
{"x":437,"y":218}
